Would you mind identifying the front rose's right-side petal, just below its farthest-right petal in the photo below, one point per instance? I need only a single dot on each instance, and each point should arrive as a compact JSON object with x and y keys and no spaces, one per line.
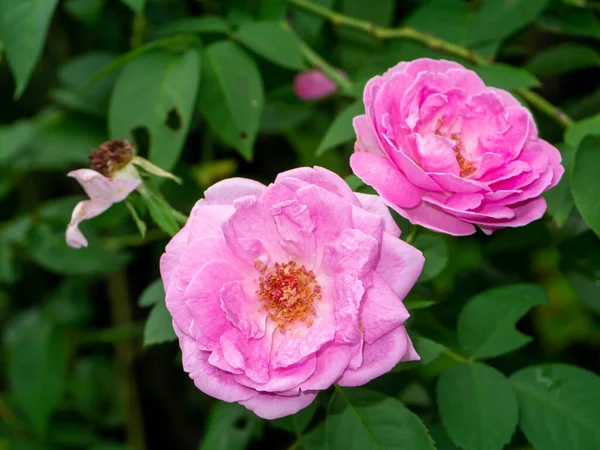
{"x":381,"y":310}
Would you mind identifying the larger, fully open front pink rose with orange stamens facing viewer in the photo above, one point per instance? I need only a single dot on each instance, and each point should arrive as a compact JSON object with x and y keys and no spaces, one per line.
{"x":279,"y":291}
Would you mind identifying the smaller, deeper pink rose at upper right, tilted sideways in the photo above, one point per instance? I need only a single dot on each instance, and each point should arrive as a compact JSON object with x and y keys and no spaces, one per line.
{"x":447,"y":152}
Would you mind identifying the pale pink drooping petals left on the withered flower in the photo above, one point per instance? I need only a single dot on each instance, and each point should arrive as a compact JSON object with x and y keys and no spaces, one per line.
{"x":103,"y":193}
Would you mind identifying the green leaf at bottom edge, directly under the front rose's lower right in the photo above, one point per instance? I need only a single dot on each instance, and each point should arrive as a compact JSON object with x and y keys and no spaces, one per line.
{"x":359,"y":419}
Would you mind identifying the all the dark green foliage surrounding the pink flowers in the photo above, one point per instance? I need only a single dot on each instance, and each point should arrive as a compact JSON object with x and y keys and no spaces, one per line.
{"x":507,"y":325}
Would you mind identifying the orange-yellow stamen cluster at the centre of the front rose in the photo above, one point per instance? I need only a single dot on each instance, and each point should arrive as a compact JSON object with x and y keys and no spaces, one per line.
{"x":287,"y":293}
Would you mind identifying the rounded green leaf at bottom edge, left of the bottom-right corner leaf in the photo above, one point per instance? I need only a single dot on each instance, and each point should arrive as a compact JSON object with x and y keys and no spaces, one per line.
{"x":478,"y":406}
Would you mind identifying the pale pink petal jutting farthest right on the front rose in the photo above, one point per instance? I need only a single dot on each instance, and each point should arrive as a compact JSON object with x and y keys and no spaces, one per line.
{"x":400,"y":265}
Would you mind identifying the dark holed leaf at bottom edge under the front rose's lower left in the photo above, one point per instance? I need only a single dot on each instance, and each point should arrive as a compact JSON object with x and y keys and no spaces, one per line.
{"x":230,"y":427}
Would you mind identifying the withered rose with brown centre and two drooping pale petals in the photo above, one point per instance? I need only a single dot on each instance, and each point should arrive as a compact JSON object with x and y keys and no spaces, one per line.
{"x":111,"y":181}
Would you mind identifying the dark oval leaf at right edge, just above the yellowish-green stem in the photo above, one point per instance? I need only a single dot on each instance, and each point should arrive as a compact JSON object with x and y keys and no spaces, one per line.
{"x":562,"y":58}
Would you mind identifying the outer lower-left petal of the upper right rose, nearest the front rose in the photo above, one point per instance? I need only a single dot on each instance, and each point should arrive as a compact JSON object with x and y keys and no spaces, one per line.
{"x":388,"y":181}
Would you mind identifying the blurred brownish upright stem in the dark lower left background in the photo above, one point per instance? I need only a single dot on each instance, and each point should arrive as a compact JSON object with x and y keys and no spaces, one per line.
{"x":121,"y":315}
